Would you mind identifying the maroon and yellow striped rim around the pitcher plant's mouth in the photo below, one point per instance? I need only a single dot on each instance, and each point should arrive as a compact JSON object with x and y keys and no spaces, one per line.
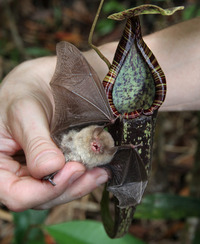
{"x":132,"y":36}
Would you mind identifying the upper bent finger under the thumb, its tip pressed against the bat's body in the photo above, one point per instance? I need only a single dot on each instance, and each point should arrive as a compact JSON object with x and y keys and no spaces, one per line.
{"x":21,"y":193}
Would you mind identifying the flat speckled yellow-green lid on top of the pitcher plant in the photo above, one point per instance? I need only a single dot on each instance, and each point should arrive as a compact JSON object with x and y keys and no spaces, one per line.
{"x":144,"y":9}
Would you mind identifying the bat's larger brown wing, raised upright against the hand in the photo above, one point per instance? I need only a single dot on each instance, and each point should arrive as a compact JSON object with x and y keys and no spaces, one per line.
{"x":78,"y":93}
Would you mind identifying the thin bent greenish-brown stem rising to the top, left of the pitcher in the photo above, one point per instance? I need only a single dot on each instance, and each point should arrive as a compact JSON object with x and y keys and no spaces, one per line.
{"x":91,"y":35}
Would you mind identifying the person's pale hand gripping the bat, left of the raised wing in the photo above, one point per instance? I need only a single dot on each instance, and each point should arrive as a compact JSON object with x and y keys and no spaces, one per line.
{"x":26,"y":108}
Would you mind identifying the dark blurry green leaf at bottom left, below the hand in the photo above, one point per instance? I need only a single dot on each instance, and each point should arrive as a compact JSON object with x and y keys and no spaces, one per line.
{"x":27,"y":226}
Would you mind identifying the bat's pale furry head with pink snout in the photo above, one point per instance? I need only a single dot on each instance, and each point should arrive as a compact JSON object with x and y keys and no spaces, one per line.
{"x":95,"y":145}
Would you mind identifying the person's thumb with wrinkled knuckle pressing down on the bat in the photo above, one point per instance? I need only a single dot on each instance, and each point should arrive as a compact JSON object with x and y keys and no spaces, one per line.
{"x":30,"y":128}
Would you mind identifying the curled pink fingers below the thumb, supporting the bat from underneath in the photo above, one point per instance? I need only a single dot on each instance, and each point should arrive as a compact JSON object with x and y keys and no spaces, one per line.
{"x":19,"y":191}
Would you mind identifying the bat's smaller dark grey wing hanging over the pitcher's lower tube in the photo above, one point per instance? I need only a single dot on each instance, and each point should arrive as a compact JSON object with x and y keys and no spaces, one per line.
{"x":129,"y":177}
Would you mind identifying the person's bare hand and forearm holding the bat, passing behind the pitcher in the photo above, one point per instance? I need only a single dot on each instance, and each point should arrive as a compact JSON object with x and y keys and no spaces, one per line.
{"x":26,"y":108}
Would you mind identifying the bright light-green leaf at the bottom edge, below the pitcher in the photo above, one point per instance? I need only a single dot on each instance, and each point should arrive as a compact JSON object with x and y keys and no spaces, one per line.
{"x":85,"y":232}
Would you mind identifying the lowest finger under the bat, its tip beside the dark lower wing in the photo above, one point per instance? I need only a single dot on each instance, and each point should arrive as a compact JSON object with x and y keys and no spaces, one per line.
{"x":78,"y":188}
